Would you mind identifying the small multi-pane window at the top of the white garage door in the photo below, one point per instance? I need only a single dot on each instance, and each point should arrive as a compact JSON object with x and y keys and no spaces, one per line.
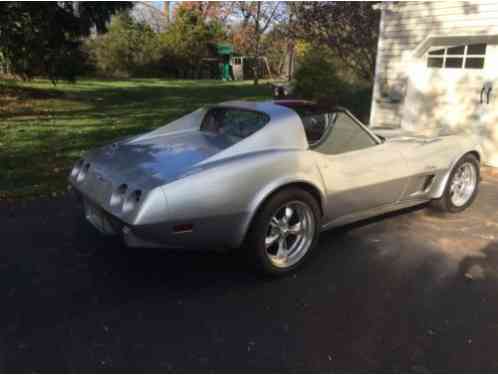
{"x":470,"y":56}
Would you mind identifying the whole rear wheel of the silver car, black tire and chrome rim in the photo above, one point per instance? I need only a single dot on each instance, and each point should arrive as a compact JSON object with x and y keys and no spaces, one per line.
{"x":284,"y":231}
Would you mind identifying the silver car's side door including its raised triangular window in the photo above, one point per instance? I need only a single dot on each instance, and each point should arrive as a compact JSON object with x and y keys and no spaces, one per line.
{"x":360,"y":172}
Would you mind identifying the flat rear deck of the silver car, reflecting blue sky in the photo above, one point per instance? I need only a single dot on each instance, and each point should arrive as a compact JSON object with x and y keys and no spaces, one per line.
{"x":152,"y":161}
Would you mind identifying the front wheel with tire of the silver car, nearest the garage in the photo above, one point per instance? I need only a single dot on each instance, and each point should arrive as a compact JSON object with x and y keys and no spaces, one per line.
{"x":462,"y":186}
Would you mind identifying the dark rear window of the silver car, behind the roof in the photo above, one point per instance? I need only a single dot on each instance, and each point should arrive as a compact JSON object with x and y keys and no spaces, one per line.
{"x":234,"y":123}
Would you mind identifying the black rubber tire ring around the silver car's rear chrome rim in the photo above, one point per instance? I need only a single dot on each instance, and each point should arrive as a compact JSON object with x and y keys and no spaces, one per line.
{"x":262,"y":219}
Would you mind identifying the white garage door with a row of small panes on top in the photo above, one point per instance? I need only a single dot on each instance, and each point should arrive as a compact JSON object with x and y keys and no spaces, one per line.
{"x":453,"y":87}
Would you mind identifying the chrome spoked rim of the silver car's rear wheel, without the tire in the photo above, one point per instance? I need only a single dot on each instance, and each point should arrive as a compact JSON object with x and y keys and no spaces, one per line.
{"x":290,"y":234}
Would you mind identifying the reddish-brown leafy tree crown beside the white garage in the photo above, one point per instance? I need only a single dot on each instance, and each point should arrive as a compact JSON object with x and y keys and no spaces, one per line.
{"x":349,"y":29}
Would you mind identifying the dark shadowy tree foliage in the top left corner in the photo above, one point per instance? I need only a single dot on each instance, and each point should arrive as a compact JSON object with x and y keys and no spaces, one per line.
{"x":45,"y":38}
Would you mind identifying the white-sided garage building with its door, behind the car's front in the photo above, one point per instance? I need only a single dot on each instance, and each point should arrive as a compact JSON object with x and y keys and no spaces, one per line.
{"x":437,"y":69}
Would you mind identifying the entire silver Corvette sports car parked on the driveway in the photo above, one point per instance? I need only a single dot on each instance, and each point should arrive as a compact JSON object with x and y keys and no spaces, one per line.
{"x":267,"y":177}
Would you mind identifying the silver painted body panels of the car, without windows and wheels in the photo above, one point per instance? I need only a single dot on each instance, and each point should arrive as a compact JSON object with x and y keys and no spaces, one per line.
{"x":195,"y":178}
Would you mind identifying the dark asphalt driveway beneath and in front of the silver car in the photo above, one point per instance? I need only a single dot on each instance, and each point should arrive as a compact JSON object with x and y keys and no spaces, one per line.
{"x":410,"y":292}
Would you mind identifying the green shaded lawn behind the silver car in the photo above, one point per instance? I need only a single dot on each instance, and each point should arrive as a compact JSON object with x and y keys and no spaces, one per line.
{"x":44,"y":129}
